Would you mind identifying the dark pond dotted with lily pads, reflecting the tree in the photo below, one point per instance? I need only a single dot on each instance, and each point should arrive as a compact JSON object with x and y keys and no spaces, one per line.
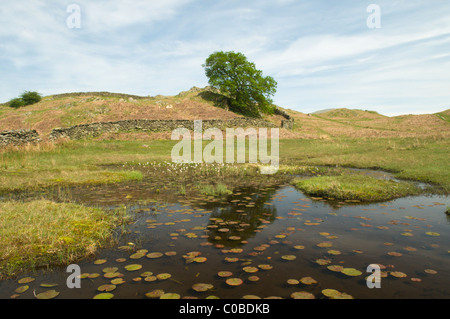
{"x":264,"y":241}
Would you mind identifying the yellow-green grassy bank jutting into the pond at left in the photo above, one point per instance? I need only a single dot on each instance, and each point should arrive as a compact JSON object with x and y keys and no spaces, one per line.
{"x":43,"y":233}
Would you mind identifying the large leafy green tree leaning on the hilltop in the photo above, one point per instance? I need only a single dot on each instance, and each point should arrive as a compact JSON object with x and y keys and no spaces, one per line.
{"x":248,"y":91}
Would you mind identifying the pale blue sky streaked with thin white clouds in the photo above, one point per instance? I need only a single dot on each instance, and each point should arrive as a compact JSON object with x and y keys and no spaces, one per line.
{"x":323,"y":54}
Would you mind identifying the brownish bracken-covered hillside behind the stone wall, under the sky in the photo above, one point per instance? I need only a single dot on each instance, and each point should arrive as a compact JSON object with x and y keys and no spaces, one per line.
{"x":66,"y":110}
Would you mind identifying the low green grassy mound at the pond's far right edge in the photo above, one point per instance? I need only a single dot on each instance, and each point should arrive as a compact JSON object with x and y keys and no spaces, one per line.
{"x":355,"y":187}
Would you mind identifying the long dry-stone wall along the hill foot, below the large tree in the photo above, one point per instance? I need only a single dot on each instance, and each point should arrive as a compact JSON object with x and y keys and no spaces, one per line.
{"x":96,"y":129}
